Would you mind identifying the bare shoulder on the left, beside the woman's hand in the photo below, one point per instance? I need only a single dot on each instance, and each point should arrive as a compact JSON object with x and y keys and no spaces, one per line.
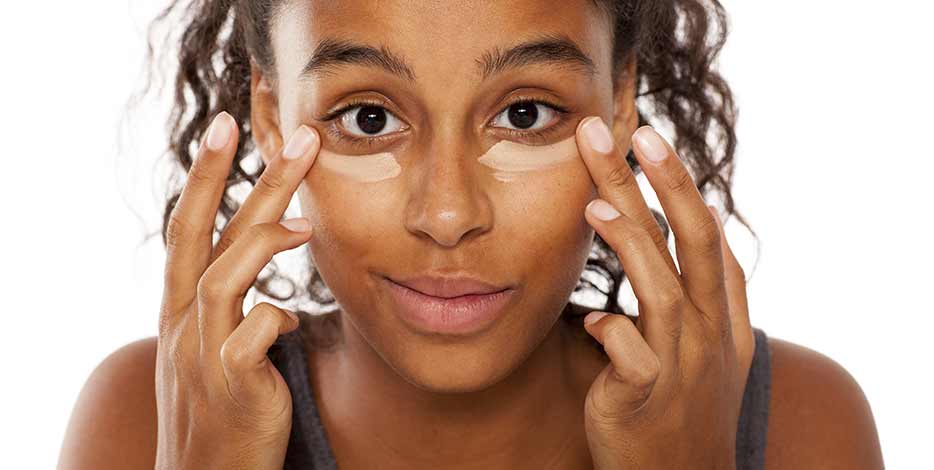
{"x":113,"y":423}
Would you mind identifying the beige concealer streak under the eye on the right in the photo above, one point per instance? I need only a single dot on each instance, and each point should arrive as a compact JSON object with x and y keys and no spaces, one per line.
{"x":510,"y":159}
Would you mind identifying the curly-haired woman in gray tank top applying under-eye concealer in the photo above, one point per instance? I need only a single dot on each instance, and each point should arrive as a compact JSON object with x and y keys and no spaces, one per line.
{"x":456,"y":163}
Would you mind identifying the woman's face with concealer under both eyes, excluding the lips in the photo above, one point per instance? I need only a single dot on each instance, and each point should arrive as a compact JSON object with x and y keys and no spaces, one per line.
{"x":441,"y":162}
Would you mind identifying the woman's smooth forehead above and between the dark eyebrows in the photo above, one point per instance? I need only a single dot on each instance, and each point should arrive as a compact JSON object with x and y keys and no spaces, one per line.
{"x":437,"y":40}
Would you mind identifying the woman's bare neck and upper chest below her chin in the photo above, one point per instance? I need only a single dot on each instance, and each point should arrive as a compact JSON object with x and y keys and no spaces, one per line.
{"x":533,"y":418}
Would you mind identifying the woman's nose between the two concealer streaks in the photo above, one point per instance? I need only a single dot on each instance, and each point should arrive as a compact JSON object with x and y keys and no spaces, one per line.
{"x":447,"y":201}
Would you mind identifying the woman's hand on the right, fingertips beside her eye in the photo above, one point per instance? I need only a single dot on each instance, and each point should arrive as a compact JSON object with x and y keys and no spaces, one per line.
{"x":670,"y":397}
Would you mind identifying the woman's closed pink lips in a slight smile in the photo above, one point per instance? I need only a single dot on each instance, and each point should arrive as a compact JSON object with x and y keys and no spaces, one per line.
{"x":448,"y":306}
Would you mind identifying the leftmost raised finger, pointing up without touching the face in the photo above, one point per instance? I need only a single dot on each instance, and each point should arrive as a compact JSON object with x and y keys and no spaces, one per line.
{"x":190,"y":228}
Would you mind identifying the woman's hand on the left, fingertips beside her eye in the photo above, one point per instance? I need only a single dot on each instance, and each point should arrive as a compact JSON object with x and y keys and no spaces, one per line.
{"x":220,"y":402}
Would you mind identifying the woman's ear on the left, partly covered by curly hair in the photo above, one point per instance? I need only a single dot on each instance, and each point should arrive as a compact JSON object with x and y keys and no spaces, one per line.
{"x":264,"y":114}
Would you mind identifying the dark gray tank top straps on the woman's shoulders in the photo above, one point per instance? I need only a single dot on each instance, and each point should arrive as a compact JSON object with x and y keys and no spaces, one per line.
{"x":308,"y":447}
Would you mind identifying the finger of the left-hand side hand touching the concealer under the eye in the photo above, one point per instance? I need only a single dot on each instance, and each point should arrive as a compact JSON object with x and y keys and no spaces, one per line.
{"x":273,"y":192}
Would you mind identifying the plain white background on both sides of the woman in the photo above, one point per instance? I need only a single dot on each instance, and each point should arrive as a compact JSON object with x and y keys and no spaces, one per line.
{"x":833,"y":171}
